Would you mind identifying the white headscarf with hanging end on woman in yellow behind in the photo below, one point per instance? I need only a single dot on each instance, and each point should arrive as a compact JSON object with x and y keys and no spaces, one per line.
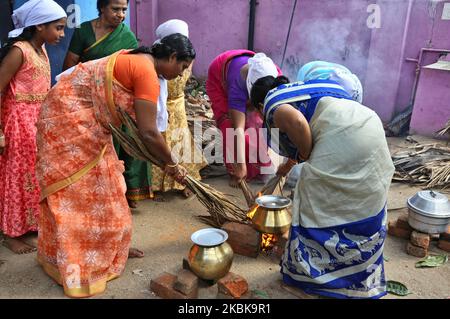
{"x":167,"y":28}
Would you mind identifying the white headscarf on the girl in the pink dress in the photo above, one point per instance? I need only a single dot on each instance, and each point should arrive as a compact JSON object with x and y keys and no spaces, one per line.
{"x":35,"y":12}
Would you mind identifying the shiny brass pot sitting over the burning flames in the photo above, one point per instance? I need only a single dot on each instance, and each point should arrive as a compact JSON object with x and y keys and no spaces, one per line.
{"x":272,"y":215}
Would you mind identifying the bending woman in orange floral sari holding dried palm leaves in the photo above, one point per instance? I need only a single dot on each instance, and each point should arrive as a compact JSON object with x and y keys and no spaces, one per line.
{"x":85,"y":224}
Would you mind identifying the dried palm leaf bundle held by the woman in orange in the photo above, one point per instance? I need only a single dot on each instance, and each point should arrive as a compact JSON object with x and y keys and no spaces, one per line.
{"x":219,"y":206}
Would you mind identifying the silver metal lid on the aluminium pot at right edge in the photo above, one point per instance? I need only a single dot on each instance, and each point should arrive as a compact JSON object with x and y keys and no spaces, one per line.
{"x":430,"y":203}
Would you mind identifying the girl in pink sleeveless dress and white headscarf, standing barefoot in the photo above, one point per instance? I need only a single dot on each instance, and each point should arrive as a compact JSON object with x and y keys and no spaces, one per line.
{"x":24,"y":83}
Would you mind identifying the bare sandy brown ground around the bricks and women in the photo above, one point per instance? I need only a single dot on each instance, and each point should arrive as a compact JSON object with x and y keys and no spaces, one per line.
{"x":163,"y":230}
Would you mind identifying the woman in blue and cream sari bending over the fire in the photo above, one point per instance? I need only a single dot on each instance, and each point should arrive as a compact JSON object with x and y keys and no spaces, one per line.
{"x":336,"y":240}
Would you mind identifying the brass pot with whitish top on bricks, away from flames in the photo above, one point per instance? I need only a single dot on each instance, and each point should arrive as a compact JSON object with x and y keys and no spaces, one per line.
{"x":211,"y":256}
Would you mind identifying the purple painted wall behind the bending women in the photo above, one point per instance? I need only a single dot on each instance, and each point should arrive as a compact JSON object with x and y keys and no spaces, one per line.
{"x":332,"y":30}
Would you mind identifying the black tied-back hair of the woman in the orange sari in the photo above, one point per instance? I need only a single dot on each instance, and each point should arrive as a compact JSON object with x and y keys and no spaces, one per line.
{"x":174,"y":43}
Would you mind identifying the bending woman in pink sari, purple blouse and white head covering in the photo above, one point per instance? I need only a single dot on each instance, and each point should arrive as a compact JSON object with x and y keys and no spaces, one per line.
{"x":230,"y":78}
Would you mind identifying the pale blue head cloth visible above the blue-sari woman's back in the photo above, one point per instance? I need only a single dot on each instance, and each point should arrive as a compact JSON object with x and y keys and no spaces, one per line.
{"x":321,"y":70}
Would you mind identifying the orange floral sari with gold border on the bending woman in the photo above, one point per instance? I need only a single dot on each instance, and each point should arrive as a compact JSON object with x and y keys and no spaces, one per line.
{"x":85,"y":221}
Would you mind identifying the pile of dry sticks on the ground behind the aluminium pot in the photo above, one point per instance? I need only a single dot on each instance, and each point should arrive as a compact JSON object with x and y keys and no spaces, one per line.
{"x":427,"y":165}
